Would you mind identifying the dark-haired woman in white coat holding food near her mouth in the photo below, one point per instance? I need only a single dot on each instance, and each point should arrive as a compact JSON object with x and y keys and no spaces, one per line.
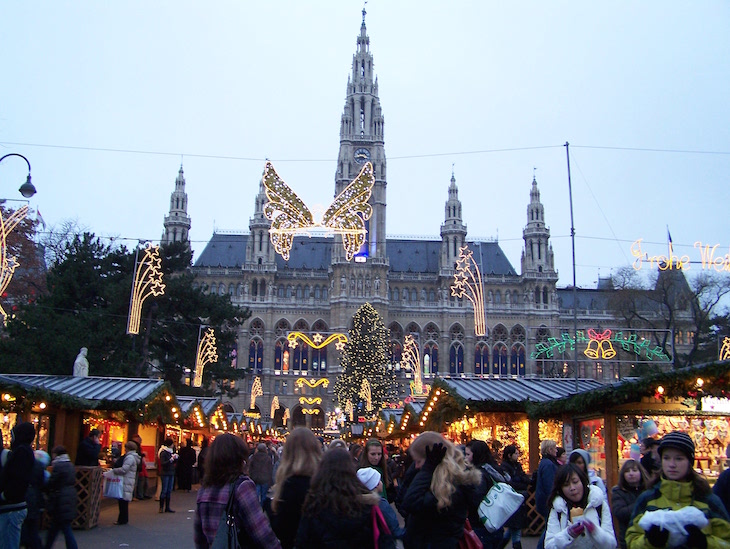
{"x":579,"y":515}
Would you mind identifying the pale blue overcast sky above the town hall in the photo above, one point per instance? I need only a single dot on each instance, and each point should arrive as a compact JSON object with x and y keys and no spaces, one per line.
{"x":107,"y":99}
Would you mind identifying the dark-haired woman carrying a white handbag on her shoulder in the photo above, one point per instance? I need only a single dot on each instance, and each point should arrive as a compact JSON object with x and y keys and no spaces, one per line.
{"x":479,"y":456}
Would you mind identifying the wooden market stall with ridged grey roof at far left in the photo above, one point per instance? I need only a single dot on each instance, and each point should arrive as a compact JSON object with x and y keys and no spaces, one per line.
{"x":66,"y":408}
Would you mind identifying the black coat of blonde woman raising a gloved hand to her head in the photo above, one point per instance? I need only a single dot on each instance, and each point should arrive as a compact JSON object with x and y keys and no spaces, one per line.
{"x":426,"y":524}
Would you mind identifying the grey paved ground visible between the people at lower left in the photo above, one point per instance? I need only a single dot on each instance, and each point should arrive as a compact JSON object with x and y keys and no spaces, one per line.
{"x":148,"y":529}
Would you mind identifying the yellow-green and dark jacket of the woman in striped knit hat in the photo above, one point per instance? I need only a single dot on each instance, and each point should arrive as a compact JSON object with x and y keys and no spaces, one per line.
{"x":673,"y":495}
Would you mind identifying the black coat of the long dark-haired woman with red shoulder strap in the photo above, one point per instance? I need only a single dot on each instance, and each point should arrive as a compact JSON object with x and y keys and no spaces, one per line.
{"x":325,"y":530}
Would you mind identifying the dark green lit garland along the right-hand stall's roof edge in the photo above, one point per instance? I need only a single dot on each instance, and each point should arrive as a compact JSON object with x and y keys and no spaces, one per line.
{"x":677,"y":383}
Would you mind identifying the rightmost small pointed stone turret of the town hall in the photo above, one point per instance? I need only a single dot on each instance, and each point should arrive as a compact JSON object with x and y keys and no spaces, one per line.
{"x":538,"y":265}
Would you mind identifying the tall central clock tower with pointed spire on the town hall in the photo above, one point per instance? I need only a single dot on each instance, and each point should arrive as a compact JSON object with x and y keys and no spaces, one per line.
{"x":361,"y":141}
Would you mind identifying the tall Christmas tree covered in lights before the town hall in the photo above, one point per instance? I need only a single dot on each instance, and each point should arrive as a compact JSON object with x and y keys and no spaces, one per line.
{"x":365,"y":380}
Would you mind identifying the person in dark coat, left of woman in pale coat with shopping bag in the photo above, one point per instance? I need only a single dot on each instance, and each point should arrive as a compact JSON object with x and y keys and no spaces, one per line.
{"x":61,"y":498}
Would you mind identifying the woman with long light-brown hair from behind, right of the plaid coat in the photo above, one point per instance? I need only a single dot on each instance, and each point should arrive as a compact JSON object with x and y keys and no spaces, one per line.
{"x":298,"y":464}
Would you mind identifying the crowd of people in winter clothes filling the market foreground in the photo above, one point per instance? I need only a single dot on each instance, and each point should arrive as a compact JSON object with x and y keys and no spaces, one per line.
{"x":308,"y":494}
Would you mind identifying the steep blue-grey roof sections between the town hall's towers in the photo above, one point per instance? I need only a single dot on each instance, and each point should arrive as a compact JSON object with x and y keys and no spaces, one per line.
{"x":415,"y":256}
